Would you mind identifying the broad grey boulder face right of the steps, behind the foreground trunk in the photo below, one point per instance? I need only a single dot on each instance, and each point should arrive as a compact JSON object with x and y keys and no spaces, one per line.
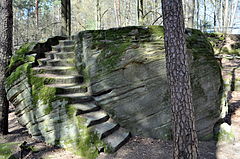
{"x":126,"y":69}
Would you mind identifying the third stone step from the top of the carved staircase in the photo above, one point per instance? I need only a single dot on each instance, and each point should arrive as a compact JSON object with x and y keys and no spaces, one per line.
{"x":60,"y":55}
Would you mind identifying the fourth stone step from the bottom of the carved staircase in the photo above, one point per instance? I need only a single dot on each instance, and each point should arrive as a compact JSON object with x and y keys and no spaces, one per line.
{"x":85,"y":107}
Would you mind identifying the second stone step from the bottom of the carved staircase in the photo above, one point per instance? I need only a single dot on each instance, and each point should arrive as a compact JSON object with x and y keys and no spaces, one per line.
{"x":105,"y":129}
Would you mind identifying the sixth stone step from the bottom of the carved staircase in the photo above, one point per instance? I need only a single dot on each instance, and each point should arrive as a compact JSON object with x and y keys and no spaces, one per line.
{"x":69,"y":88}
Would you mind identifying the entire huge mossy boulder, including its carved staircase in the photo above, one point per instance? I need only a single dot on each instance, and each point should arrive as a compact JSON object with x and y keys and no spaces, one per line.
{"x":84,"y":100}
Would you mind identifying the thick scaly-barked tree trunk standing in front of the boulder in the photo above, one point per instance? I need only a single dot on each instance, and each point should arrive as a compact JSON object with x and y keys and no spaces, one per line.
{"x":177,"y":63}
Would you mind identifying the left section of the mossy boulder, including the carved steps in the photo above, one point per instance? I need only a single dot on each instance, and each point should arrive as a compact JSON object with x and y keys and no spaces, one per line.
{"x":53,"y":102}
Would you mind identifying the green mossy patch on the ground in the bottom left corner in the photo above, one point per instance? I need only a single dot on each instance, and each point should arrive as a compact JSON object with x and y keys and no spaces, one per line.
{"x":7,"y":150}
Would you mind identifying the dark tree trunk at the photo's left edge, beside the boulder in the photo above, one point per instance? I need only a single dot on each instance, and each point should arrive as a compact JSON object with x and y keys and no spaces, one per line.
{"x":6,"y":30}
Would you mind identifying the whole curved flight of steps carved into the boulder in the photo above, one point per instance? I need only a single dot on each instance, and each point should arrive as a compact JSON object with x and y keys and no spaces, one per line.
{"x":69,"y":83}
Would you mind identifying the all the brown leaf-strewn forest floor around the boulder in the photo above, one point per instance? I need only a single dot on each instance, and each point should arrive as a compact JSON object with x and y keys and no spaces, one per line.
{"x":138,"y":147}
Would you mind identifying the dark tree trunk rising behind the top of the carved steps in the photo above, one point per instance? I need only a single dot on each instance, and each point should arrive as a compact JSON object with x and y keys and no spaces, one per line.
{"x":66,"y":17}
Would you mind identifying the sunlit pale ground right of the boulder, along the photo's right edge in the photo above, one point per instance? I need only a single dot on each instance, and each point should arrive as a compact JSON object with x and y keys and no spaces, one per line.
{"x":231,"y":72}
